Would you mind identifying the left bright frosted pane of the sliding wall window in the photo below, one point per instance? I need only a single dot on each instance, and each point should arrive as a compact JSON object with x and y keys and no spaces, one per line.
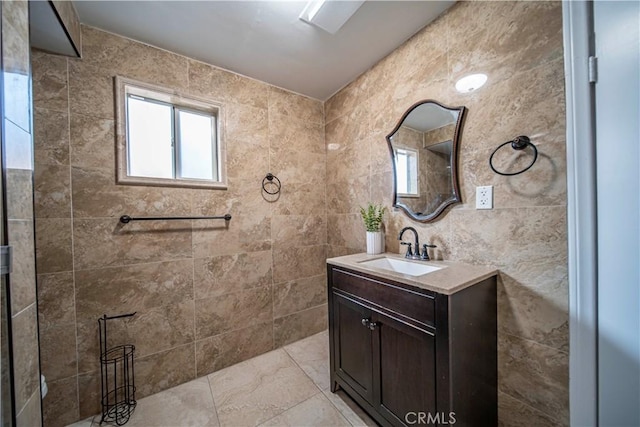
{"x":150,"y":139}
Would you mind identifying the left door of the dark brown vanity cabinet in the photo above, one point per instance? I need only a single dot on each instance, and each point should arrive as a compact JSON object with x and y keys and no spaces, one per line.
{"x":352,"y":345}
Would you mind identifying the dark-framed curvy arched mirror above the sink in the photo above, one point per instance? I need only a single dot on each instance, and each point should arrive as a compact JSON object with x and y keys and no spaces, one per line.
{"x":424,"y":151}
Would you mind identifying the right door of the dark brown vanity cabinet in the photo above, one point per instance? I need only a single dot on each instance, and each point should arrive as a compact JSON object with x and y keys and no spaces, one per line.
{"x":404,"y":371}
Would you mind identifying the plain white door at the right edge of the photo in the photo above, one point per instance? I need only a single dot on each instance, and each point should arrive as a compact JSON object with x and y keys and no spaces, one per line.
{"x":617,"y":136}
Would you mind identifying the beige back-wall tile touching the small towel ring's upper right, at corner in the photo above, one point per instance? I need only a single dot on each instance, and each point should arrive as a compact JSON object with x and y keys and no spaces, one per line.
{"x":298,"y":166}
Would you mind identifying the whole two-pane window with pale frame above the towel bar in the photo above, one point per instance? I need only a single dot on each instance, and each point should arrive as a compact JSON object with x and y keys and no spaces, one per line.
{"x":165,"y":138}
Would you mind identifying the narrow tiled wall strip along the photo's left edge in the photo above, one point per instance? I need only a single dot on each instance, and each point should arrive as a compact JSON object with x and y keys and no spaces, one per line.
{"x":18,"y":186}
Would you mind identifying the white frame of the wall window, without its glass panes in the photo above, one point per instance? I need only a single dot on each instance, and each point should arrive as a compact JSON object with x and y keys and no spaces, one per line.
{"x":125,"y":87}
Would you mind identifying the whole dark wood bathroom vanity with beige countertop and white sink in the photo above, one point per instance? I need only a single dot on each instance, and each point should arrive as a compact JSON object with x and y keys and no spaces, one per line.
{"x":414,"y":348}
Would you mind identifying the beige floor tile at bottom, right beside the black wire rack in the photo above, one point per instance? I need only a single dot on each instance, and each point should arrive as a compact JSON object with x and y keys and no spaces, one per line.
{"x":187,"y":404}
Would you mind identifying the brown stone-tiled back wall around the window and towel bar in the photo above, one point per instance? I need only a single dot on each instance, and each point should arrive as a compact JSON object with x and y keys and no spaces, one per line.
{"x":206,"y":295}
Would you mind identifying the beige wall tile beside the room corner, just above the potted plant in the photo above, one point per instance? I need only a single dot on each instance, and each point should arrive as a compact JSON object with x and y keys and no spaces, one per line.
{"x":346,"y":197}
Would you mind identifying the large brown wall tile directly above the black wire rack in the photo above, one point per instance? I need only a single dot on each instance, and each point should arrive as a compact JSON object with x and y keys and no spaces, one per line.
{"x":119,"y":290}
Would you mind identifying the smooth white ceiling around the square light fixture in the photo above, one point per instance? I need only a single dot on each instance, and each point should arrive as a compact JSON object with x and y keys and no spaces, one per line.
{"x":265,"y":40}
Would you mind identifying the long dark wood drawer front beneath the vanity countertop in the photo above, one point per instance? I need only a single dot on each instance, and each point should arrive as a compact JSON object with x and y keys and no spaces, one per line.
{"x":405,"y":302}
